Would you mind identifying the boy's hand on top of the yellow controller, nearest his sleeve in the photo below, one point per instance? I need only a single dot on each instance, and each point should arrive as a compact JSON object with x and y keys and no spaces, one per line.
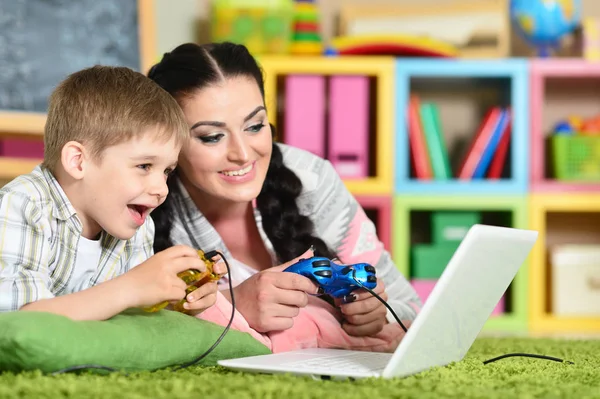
{"x":156,"y":279}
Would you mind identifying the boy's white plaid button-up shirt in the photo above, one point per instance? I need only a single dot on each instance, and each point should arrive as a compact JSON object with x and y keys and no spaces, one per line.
{"x":39,"y":234}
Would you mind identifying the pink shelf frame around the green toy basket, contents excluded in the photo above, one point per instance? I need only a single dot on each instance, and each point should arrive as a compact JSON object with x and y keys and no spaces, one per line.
{"x":540,"y":71}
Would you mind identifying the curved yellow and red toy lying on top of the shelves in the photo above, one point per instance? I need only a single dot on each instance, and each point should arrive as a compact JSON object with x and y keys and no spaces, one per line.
{"x":392,"y":44}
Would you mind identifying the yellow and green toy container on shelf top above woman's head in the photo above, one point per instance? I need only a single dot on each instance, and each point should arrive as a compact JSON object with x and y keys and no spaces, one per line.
{"x":263,"y":26}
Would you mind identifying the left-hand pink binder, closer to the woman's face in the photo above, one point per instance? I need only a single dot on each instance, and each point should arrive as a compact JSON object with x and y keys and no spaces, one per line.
{"x":304,"y":113}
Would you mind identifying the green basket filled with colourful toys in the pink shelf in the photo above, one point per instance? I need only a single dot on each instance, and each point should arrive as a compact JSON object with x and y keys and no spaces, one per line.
{"x":576,"y":149}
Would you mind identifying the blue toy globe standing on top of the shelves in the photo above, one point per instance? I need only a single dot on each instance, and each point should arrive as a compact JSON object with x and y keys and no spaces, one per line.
{"x":543,"y":23}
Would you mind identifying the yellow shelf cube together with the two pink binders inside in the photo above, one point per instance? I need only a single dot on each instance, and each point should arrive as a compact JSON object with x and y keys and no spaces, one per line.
{"x":354,"y":131}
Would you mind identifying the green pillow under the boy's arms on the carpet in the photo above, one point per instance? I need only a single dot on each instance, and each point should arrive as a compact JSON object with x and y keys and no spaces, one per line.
{"x":132,"y":341}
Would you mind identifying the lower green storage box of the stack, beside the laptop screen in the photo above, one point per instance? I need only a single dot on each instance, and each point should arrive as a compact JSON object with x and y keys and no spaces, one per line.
{"x":429,"y":261}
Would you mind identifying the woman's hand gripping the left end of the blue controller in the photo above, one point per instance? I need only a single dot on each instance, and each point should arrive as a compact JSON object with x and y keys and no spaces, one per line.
{"x":270,"y":299}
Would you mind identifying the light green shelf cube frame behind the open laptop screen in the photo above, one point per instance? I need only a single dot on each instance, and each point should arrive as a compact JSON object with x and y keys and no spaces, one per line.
{"x":510,"y":211}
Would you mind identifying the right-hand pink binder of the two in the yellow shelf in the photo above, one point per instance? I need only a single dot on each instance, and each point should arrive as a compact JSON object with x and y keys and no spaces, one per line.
{"x":348,"y":148}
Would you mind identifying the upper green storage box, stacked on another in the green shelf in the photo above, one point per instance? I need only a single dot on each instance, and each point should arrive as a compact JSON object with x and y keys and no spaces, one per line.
{"x":452,"y":226}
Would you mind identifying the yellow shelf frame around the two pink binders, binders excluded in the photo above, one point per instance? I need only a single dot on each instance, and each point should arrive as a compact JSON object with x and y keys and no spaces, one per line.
{"x":381,"y":72}
